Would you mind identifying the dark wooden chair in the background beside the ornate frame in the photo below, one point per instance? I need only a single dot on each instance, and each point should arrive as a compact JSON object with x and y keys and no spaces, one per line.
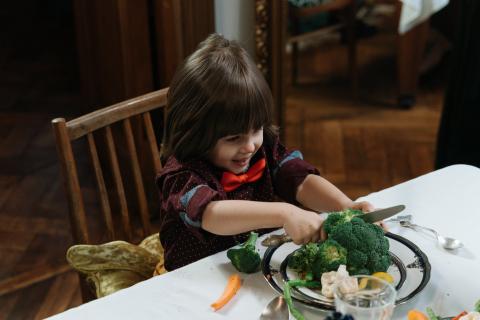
{"x":345,"y":10}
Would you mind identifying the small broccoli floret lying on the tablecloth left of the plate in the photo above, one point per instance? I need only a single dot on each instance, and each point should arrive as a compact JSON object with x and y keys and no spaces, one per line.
{"x":245,"y":259}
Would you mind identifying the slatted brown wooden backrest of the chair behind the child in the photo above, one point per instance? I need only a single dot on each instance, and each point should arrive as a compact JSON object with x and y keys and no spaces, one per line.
{"x":122,"y":145}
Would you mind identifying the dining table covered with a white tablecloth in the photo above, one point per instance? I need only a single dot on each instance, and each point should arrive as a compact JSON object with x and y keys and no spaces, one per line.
{"x":446,"y":200}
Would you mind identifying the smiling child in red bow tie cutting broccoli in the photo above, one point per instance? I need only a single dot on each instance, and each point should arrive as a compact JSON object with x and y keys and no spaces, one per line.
{"x":224,"y":167}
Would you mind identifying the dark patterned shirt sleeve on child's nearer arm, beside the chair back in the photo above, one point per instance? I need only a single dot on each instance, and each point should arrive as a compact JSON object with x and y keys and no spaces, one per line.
{"x":186,"y":194}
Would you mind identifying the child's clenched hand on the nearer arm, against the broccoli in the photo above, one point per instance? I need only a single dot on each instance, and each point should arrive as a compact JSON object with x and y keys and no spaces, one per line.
{"x":303,"y":226}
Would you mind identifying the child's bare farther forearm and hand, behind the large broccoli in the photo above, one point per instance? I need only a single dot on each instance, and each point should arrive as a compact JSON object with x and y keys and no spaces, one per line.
{"x":318,"y":194}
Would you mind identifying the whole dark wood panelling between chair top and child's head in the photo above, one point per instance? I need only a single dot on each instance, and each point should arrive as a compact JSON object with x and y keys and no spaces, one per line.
{"x":127,"y":48}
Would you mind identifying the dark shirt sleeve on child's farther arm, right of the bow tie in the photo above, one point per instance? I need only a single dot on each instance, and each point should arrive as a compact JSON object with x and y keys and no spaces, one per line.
{"x":289,"y":171}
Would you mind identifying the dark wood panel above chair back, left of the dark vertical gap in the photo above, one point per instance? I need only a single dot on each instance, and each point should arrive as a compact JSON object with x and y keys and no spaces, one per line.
{"x":113,"y":49}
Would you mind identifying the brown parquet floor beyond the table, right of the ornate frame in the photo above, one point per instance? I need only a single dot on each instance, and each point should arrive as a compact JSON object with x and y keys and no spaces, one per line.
{"x":368,"y":144}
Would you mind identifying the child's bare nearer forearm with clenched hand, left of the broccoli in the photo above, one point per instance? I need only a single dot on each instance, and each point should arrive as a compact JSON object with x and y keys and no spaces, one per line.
{"x":228,"y":217}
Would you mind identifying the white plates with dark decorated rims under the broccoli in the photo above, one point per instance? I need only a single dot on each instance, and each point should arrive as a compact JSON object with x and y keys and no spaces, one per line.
{"x":410,"y":269}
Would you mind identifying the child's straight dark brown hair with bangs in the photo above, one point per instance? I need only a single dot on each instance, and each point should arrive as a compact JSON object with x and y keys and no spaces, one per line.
{"x":217,"y":92}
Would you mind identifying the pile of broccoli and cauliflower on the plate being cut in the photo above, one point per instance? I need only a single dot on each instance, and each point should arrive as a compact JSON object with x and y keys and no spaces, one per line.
{"x":352,"y":247}
